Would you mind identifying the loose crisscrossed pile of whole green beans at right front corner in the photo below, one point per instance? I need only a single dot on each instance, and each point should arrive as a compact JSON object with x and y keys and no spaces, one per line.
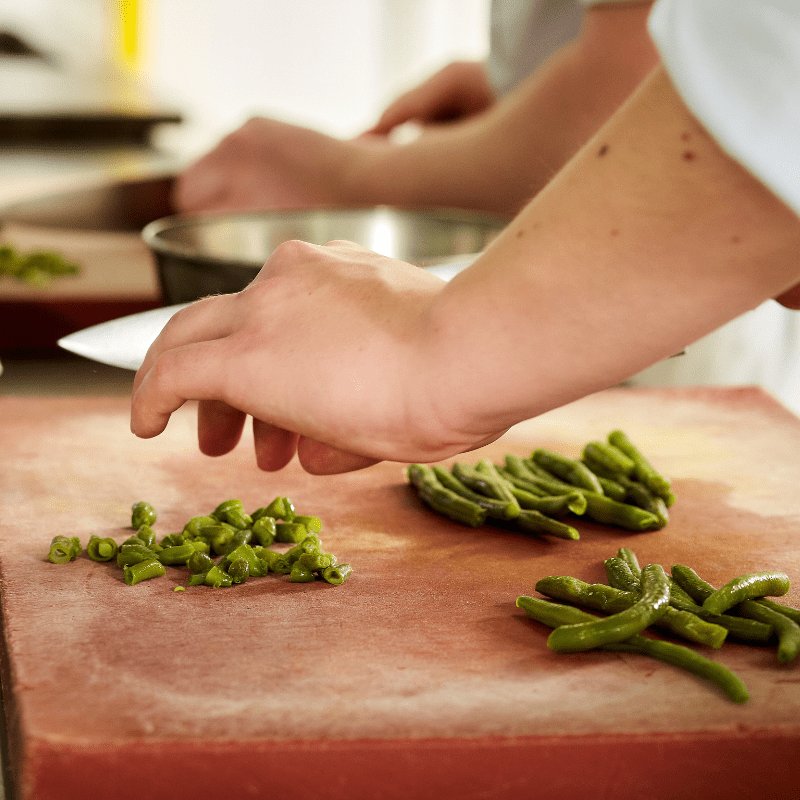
{"x":679,"y":603}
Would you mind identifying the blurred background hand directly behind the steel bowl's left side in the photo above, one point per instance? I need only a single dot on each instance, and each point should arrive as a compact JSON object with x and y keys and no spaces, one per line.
{"x":268,"y":164}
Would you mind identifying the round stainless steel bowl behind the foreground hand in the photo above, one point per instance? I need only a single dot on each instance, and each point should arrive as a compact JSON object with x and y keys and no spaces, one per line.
{"x":198,"y":255}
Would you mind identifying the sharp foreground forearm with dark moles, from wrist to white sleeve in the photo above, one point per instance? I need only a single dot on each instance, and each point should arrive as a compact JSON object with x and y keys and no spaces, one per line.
{"x":648,"y":239}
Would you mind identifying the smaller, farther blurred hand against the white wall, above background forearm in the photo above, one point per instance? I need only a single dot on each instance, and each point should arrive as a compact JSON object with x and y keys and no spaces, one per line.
{"x":459,"y":90}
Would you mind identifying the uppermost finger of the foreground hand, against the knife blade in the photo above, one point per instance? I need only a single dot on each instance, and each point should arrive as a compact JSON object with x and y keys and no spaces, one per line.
{"x":203,"y":320}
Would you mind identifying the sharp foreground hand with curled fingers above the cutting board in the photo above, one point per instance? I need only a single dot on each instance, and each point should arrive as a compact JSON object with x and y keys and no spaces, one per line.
{"x":328,"y":351}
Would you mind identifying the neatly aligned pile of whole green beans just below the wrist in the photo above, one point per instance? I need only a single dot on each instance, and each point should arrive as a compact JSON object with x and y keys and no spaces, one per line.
{"x":612,"y":483}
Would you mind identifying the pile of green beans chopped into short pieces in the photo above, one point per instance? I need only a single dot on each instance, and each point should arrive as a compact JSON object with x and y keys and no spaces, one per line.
{"x":224,"y":548}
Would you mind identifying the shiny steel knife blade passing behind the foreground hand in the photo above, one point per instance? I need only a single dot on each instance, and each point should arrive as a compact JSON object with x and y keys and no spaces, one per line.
{"x":124,"y":342}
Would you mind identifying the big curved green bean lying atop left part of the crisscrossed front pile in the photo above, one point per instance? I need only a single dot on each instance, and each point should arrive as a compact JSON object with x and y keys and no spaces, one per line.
{"x":651,"y":605}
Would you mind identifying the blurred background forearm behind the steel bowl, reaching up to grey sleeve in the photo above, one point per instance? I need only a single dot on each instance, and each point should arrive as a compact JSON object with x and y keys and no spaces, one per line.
{"x":497,"y":161}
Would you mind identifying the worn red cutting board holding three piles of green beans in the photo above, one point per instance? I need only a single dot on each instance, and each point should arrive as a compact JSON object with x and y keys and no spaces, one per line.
{"x":417,"y":678}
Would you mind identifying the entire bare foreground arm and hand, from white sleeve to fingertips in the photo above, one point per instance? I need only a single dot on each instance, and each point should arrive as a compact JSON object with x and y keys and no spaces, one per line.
{"x":649,"y":238}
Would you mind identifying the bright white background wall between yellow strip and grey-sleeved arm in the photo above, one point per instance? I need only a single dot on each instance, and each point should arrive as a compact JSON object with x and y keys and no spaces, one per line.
{"x":330,"y":64}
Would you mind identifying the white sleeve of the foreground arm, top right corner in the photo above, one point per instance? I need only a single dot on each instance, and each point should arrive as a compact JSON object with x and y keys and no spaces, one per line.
{"x":737,"y":67}
